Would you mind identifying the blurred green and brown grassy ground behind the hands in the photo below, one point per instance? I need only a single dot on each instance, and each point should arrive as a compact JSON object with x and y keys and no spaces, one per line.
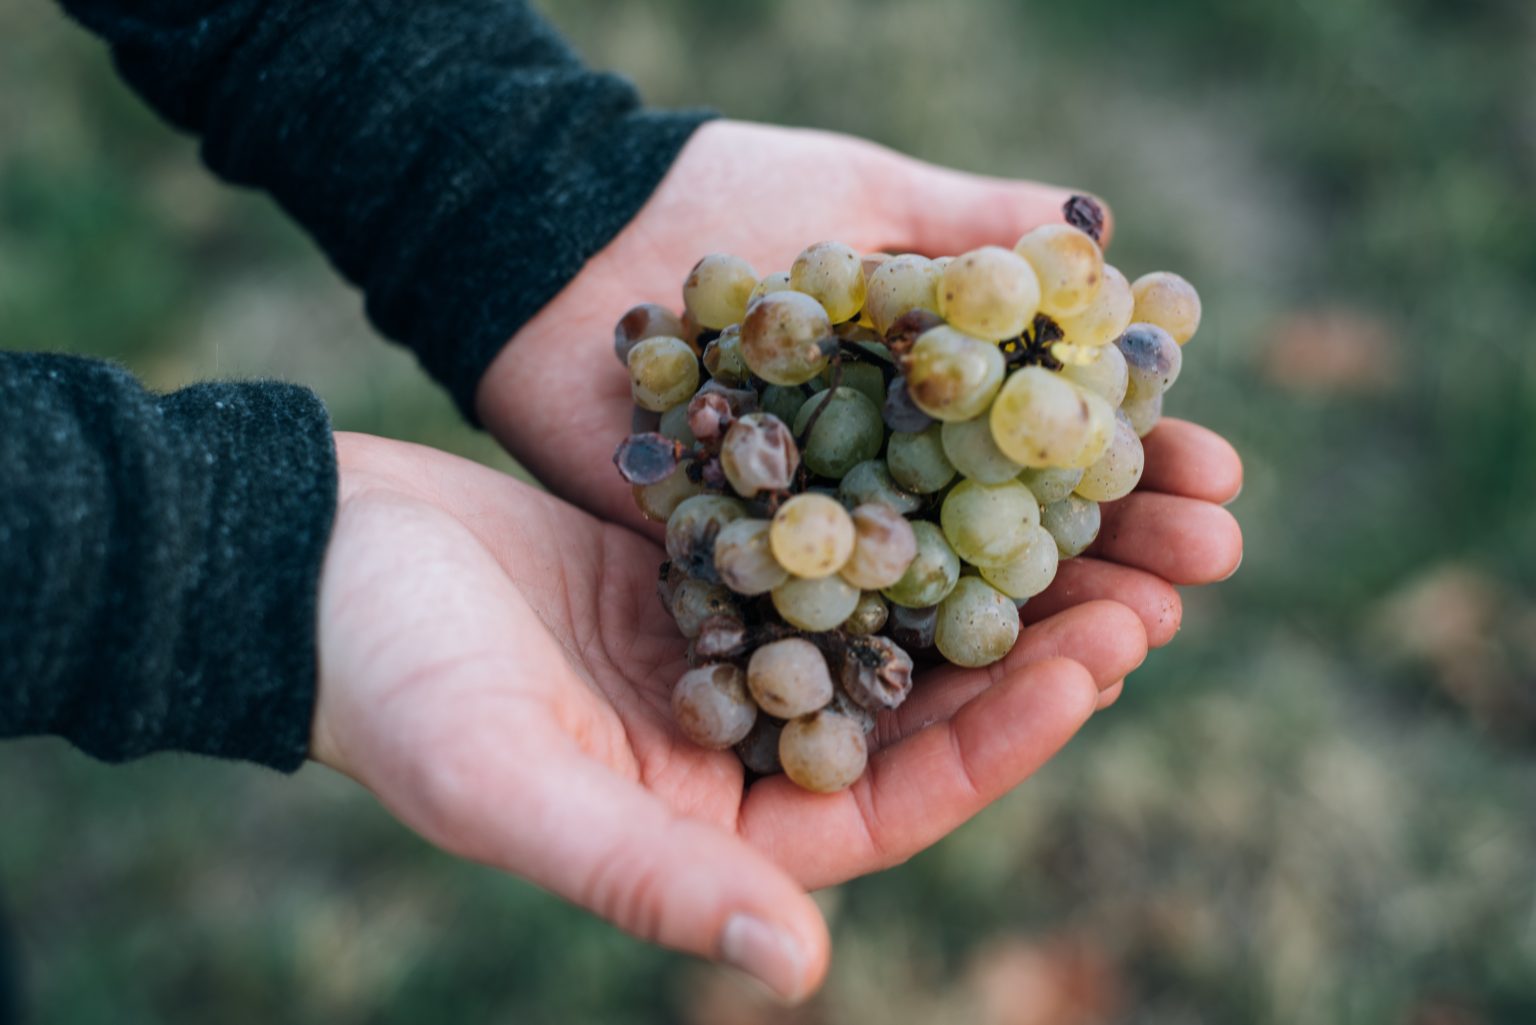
{"x":1319,"y":806}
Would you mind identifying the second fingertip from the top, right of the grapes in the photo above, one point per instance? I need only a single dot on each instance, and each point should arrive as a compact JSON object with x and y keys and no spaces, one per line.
{"x":1182,"y":540}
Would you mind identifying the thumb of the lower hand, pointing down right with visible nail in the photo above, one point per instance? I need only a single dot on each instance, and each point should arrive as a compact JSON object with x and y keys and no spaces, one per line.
{"x":607,"y":844}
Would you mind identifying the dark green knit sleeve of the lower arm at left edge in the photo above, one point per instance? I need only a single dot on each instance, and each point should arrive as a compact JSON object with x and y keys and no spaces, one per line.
{"x":159,"y":562}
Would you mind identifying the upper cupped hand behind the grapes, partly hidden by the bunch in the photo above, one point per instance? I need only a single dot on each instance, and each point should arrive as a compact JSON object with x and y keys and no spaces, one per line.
{"x":560,"y":402}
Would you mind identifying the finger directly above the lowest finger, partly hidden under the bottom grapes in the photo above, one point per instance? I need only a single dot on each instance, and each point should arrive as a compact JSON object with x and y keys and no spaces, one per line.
{"x":1104,"y":637}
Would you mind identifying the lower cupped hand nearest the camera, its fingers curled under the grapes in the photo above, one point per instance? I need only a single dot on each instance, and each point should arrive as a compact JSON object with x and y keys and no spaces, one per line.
{"x":495,"y":666}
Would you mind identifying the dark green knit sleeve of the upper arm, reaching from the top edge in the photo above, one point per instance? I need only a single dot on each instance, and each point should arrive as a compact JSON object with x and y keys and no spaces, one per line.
{"x":452,"y":158}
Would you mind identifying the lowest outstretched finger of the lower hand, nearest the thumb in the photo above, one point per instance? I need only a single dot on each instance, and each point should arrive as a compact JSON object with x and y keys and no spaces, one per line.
{"x":924,"y":788}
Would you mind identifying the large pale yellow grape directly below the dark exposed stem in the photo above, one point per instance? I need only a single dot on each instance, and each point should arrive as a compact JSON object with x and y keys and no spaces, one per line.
{"x":1041,"y":419}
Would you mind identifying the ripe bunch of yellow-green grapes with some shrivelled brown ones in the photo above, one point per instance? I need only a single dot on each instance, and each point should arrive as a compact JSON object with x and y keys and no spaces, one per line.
{"x":878,"y":456}
